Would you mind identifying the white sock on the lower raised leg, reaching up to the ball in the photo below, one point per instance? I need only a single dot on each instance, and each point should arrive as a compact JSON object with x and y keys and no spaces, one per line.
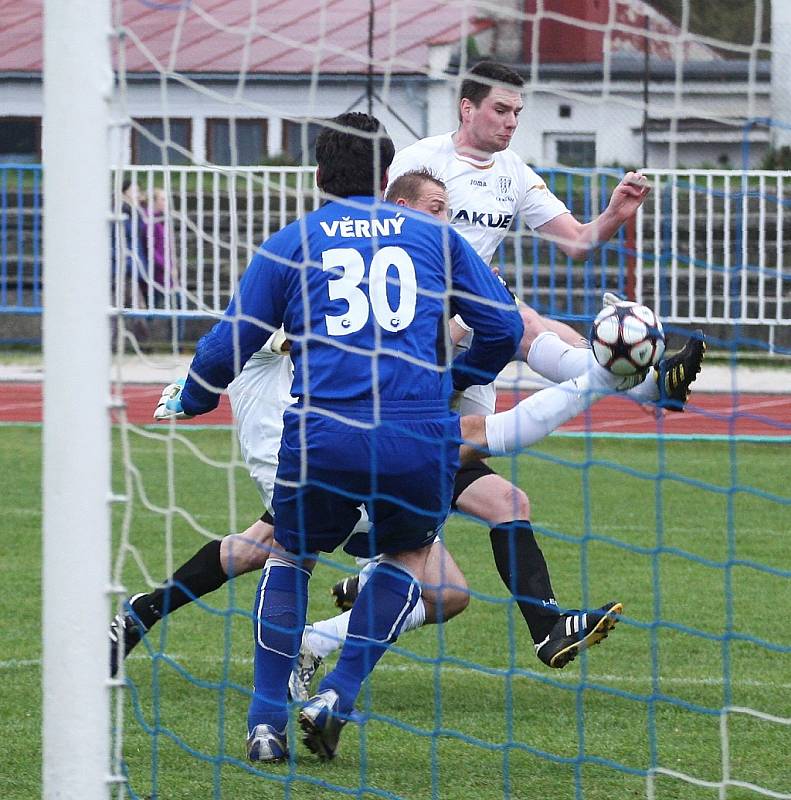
{"x":533,"y":418}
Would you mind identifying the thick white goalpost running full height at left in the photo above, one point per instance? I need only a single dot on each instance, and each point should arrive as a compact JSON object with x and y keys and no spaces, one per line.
{"x":76,"y":469}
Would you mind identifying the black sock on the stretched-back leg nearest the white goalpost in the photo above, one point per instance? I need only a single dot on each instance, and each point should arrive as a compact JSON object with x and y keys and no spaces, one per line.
{"x":203,"y":573}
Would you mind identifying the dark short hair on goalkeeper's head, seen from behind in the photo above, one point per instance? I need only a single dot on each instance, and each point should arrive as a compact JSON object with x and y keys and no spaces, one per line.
{"x":349,"y":163}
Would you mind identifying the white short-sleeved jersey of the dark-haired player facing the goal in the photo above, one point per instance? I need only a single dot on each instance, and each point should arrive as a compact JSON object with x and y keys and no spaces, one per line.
{"x":485,"y":197}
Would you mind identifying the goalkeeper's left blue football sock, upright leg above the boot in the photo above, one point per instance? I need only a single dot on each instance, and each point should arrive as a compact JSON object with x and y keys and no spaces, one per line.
{"x":278,"y":621}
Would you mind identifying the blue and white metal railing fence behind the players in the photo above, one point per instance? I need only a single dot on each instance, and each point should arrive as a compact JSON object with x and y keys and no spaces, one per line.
{"x":706,"y":247}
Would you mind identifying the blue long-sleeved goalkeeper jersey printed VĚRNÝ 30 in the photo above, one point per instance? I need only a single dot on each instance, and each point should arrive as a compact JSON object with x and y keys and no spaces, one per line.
{"x":364,"y":290}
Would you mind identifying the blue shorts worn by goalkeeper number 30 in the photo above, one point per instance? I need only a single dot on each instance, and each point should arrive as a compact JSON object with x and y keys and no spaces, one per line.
{"x":402,"y":470}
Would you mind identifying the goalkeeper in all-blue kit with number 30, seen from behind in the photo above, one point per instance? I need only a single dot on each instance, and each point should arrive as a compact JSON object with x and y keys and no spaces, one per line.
{"x":364,"y":291}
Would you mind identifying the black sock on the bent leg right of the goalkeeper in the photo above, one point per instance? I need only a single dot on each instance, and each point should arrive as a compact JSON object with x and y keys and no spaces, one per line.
{"x":523,"y":570}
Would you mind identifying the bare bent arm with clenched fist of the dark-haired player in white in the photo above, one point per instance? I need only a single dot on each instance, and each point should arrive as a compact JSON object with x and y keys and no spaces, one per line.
{"x":576,"y":239}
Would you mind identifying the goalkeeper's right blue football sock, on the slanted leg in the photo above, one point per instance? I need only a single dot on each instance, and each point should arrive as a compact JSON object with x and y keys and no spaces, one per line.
{"x":376,"y":620}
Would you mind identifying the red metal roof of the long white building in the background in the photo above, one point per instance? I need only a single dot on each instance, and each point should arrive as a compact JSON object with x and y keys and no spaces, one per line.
{"x":281,"y":36}
